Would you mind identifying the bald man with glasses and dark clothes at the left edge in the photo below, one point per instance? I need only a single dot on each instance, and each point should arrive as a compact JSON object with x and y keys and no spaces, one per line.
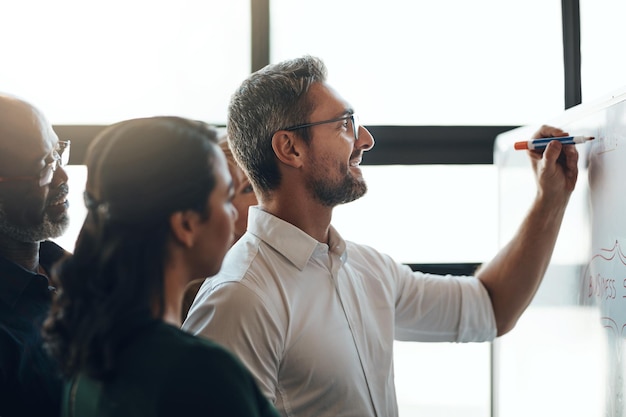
{"x":33,"y":209}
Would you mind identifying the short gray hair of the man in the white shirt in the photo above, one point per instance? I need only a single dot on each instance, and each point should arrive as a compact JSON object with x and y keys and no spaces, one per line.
{"x":269,"y":100}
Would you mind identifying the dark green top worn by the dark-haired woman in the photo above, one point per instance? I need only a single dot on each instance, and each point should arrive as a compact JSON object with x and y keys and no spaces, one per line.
{"x":167,"y":372}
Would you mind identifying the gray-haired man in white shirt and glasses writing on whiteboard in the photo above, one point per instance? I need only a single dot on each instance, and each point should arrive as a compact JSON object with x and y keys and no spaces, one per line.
{"x":314,"y":316}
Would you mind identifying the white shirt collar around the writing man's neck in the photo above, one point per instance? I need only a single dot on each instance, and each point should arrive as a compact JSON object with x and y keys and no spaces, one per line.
{"x":287,"y":239}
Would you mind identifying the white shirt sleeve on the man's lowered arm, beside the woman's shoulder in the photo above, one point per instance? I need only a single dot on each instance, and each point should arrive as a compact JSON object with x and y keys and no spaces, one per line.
{"x":235,"y":317}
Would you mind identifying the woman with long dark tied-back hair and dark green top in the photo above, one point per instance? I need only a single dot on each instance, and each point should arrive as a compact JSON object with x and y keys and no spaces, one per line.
{"x":160,"y":214}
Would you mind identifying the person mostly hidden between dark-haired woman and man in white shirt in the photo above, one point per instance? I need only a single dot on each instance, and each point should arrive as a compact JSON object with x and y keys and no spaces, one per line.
{"x":243,"y":199}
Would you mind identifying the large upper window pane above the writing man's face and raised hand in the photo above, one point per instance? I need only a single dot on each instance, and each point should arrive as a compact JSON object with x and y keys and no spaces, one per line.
{"x":449,"y":62}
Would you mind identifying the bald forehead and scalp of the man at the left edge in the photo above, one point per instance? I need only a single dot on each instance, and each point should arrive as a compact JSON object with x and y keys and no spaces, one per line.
{"x":26,"y":137}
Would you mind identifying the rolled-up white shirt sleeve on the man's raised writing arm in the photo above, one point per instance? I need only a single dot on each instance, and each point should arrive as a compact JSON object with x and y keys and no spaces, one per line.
{"x":429,"y":307}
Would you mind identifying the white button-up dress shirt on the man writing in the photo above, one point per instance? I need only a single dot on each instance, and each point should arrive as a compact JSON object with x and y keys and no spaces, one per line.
{"x":315,"y":323}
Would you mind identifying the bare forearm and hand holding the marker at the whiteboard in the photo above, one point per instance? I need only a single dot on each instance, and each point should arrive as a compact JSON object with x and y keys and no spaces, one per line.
{"x":513,"y":276}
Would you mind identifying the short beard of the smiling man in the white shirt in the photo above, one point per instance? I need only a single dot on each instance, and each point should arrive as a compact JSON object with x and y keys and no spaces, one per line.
{"x":332,"y":193}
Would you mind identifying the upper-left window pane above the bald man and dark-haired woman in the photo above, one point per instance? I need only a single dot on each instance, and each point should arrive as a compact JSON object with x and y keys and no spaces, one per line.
{"x":87,"y":62}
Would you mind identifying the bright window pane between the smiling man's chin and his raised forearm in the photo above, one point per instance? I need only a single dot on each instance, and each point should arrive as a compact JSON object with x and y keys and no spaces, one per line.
{"x":425,"y":213}
